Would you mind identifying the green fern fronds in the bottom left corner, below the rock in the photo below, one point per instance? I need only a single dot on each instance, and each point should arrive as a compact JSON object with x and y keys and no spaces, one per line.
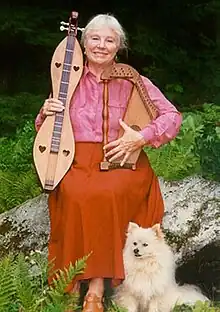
{"x":24,"y":287}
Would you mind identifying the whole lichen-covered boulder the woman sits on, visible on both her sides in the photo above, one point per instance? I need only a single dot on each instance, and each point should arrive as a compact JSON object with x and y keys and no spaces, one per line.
{"x":191,"y":224}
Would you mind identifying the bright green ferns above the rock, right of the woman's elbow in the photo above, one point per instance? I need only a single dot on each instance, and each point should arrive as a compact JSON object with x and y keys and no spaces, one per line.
{"x":194,"y":151}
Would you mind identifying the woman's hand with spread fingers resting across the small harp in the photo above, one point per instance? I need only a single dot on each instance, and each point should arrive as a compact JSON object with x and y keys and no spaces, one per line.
{"x":126,"y":145}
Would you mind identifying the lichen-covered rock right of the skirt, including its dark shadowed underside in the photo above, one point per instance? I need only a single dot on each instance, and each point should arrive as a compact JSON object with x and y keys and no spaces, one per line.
{"x":192,"y":227}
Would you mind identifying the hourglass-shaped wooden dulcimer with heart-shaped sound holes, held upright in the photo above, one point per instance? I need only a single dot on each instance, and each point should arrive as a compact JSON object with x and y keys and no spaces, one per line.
{"x":54,"y":145}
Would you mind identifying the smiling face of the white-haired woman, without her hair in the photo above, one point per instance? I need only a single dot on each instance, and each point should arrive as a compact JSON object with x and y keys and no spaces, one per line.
{"x":101,"y":46}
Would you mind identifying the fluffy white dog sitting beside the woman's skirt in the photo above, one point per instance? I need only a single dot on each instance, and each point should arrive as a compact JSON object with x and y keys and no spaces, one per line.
{"x":150,"y":283}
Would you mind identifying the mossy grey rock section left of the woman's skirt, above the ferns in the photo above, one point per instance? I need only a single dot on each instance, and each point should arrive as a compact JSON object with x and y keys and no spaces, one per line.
{"x":26,"y":227}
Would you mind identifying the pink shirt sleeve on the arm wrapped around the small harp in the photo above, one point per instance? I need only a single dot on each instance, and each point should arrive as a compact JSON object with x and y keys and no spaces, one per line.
{"x":167,"y":124}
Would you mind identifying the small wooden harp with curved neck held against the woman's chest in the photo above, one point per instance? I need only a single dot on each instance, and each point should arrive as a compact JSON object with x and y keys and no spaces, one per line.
{"x":139,"y":113}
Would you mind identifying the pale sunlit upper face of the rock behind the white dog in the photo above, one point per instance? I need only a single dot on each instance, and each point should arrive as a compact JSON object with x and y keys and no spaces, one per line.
{"x":192,"y":215}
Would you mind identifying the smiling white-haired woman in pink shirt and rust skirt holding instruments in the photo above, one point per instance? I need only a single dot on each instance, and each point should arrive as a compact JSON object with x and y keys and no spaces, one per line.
{"x":90,"y":209}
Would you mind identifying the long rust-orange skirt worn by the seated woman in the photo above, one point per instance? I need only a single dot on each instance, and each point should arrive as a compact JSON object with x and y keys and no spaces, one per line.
{"x":90,"y":211}
